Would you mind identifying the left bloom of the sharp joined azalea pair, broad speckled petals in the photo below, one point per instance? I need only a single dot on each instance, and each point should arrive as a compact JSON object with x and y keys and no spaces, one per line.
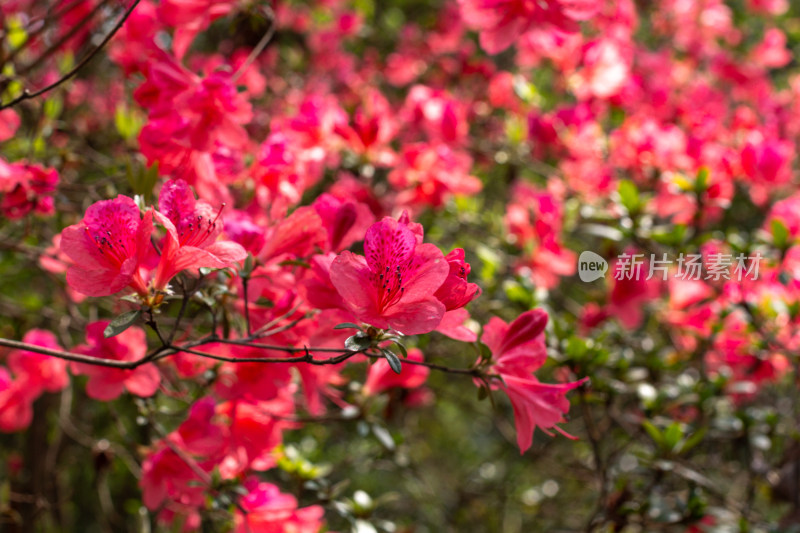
{"x":108,"y":247}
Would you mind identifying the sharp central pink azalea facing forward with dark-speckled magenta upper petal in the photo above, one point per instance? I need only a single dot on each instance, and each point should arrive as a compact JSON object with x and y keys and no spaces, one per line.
{"x":394,"y":285}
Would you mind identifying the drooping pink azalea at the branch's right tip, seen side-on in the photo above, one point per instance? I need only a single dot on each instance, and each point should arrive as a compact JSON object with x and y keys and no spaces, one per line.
{"x":518,"y":350}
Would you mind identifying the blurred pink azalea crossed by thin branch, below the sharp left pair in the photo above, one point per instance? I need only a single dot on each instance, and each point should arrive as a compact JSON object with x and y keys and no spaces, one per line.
{"x":108,"y":383}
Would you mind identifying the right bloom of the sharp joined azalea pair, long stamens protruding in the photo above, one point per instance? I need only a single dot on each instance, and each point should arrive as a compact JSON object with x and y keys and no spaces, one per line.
{"x":192,"y":231}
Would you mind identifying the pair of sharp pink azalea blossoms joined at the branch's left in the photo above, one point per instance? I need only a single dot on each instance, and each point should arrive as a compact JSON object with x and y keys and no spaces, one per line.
{"x":111,"y":248}
